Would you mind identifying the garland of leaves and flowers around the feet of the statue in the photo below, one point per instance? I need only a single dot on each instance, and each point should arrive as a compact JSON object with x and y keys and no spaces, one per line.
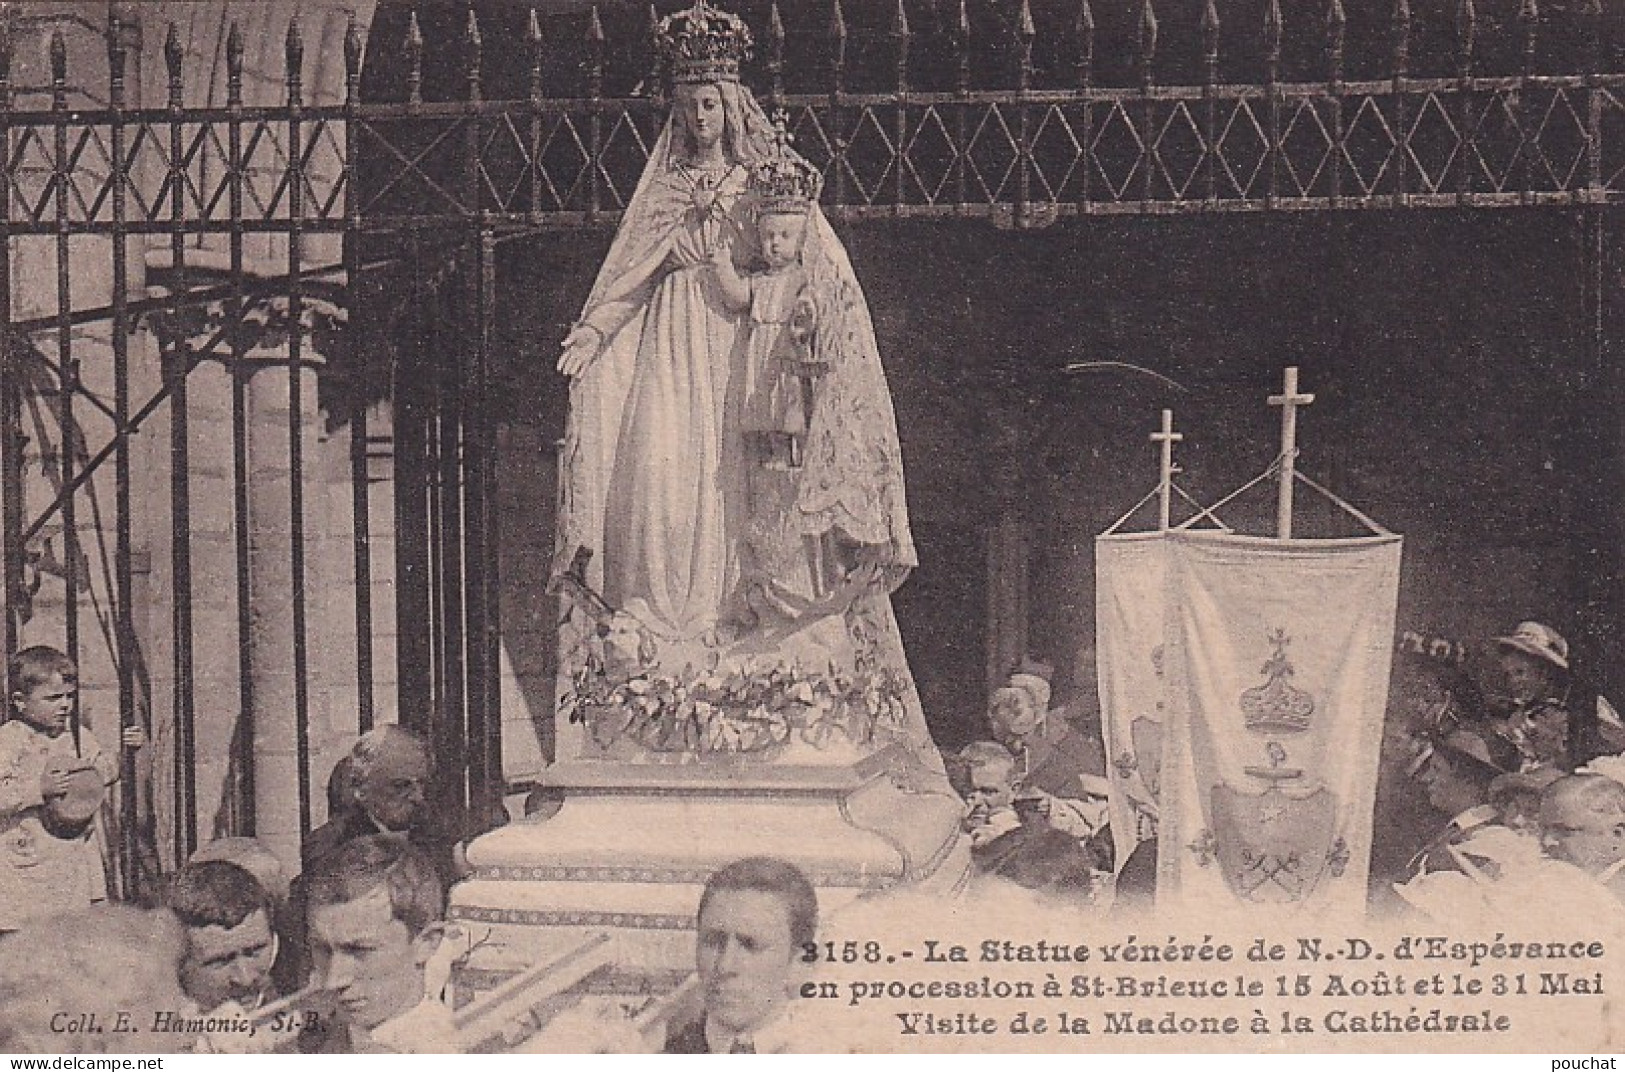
{"x":745,"y":714}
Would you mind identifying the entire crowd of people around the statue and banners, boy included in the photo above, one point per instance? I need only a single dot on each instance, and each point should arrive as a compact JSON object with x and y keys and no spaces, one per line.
{"x":1501,"y":784}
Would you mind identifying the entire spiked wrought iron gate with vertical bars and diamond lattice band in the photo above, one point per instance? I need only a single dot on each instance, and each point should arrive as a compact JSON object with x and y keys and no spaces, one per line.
{"x":389,"y":210}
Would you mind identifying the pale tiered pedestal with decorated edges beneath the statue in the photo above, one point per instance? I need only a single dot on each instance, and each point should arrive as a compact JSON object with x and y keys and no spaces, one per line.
{"x":631,"y":849}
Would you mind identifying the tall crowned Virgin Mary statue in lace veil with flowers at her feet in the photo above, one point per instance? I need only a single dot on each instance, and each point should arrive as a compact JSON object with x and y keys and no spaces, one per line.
{"x":693,"y":631}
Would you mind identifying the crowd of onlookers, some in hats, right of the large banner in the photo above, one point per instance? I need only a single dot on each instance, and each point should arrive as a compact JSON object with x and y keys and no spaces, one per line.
{"x":1499,"y":776}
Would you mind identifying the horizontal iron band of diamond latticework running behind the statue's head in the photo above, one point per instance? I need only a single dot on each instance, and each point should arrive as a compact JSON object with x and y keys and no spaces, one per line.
{"x":1012,"y":152}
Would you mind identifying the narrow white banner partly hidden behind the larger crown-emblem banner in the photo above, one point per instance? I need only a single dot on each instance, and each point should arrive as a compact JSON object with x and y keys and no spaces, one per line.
{"x":1130,"y":581}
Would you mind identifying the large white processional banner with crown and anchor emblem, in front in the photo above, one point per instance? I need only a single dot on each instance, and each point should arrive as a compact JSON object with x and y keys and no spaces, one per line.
{"x":1276,"y":659}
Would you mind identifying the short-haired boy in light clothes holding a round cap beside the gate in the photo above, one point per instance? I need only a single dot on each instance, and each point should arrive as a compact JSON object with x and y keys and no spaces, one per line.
{"x":53,"y":782}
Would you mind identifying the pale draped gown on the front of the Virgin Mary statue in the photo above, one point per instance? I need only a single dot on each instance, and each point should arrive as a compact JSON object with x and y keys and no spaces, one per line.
{"x":674,"y":495}
